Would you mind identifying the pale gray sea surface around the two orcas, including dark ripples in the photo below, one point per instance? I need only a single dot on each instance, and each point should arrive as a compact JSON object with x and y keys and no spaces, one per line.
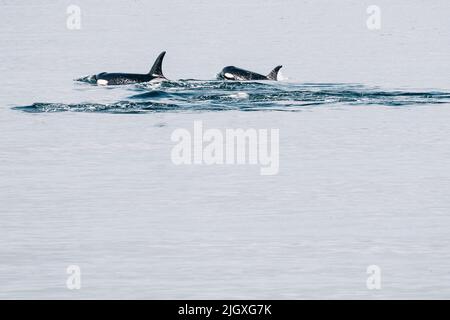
{"x":87,"y":178}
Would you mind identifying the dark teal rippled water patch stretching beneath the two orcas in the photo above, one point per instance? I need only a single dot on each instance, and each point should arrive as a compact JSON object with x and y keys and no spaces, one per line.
{"x":194,"y":95}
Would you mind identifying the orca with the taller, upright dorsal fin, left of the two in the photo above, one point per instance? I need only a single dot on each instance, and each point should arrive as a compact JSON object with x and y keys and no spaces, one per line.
{"x":155,"y":73}
